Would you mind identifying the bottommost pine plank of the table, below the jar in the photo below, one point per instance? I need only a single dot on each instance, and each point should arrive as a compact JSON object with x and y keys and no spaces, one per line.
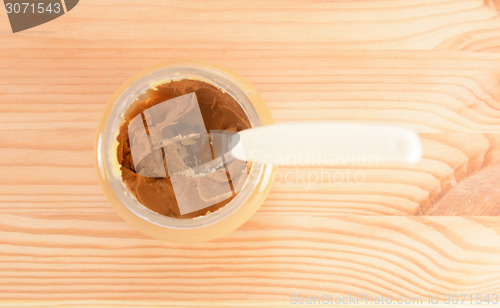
{"x":269,"y":258}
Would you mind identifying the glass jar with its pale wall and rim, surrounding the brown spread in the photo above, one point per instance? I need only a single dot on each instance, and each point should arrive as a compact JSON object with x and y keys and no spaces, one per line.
{"x":201,"y":228}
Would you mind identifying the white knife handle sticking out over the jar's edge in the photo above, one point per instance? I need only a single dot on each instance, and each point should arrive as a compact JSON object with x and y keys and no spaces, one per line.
{"x":327,"y":143}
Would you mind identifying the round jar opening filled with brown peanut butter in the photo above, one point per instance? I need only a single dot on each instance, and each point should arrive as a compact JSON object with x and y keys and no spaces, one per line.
{"x":170,"y":125}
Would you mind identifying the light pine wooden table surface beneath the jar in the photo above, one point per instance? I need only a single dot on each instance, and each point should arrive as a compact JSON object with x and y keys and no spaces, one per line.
{"x":430,"y":65}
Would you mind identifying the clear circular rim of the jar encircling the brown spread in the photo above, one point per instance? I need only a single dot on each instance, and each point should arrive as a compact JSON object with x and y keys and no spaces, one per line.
{"x":107,"y":158}
